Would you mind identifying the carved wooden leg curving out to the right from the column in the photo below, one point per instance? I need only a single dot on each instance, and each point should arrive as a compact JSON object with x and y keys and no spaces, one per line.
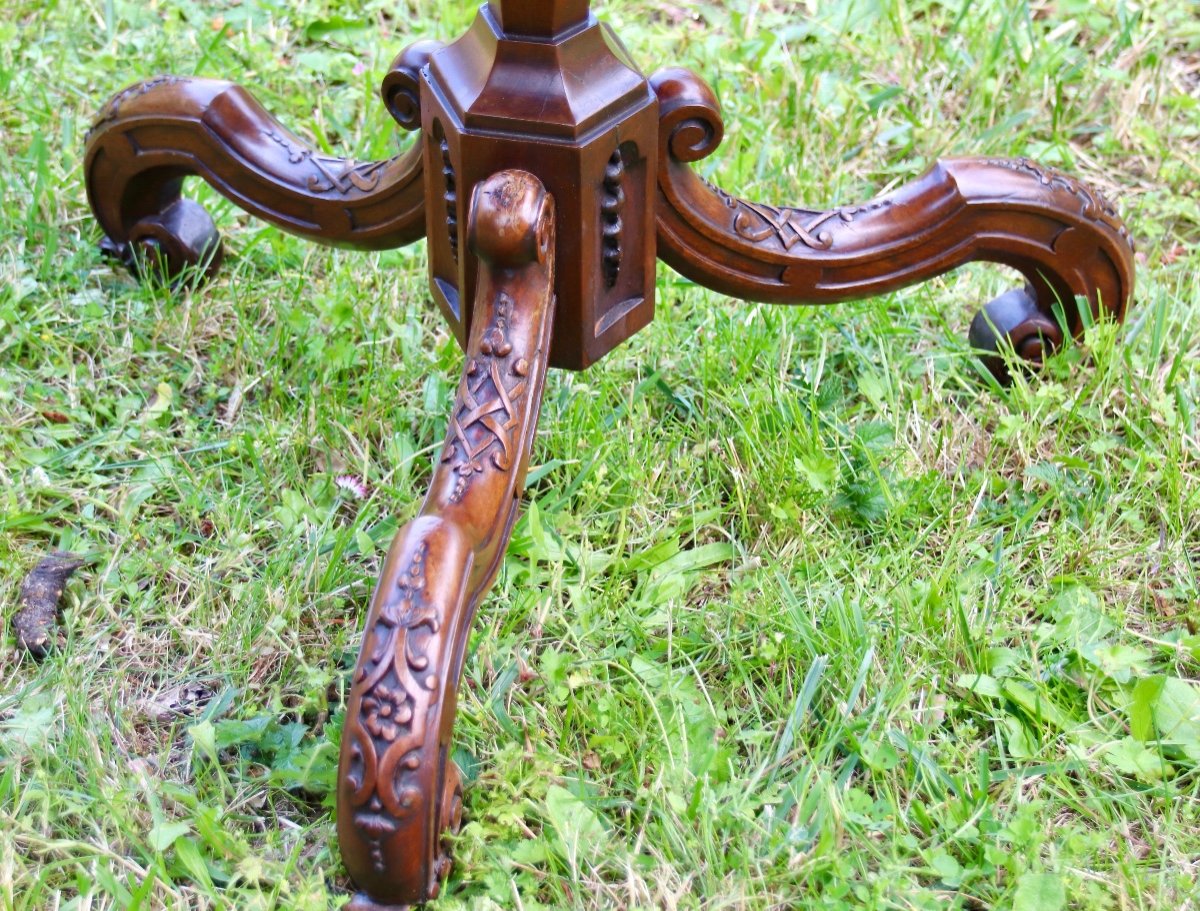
{"x":1066,"y":239}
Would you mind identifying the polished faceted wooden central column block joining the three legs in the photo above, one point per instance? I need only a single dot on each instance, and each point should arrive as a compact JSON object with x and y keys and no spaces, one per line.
{"x":574,"y":110}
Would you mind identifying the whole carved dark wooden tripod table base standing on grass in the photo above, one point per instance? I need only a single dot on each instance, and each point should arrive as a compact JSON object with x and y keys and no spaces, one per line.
{"x":543,"y":146}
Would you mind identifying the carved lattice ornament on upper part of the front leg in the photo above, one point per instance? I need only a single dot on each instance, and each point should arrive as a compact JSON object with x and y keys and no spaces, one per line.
{"x":489,"y":406}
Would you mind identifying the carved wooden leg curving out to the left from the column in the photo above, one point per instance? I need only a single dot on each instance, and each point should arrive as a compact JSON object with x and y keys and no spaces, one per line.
{"x":154,"y":135}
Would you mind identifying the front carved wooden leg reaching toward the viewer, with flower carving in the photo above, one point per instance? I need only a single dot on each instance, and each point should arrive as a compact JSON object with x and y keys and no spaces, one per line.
{"x":398,"y":789}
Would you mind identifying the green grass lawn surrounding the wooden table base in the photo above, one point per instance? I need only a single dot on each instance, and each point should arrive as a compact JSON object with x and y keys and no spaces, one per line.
{"x":802,"y":613}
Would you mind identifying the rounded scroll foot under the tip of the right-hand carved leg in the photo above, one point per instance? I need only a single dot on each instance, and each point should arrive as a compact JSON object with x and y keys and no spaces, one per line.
{"x":1012,"y":329}
